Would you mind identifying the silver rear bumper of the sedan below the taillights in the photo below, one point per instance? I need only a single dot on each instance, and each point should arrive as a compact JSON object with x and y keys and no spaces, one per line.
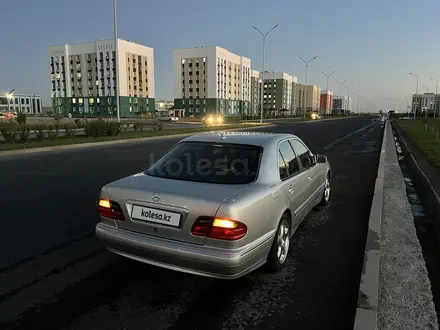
{"x":186,"y":257}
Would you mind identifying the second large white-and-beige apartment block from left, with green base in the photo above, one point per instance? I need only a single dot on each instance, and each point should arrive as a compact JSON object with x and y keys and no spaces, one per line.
{"x":212,"y":80}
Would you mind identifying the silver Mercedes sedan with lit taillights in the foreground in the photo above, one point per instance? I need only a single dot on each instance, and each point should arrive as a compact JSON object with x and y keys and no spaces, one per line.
{"x":217,"y":204}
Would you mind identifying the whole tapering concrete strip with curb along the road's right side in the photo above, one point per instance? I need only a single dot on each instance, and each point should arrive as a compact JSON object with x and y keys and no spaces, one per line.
{"x":395,"y":291}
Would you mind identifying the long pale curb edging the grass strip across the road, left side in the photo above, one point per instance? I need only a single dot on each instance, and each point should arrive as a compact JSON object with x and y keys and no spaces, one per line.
{"x":115,"y":142}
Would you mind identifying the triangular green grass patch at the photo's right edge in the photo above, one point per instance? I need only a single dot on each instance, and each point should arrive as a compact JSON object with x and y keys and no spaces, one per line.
{"x":426,"y":135}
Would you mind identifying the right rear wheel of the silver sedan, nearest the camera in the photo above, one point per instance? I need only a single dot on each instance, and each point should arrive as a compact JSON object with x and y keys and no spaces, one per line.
{"x":280,"y":247}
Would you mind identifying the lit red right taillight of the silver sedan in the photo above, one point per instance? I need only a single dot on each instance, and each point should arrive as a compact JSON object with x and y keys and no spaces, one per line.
{"x":225,"y":229}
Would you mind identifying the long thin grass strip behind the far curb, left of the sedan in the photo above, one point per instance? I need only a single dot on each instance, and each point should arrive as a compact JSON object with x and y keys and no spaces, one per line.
{"x":4,"y":146}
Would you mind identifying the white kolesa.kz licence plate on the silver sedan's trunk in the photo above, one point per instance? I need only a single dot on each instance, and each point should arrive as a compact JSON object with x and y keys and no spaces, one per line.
{"x":156,"y":216}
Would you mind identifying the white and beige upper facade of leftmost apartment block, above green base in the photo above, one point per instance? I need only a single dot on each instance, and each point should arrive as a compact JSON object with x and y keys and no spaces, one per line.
{"x":90,"y":69}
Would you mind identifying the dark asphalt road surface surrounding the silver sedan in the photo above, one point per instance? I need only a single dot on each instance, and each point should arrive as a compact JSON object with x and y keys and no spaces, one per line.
{"x":56,"y":275}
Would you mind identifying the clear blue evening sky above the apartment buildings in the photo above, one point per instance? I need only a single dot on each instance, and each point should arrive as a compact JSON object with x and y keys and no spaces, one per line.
{"x":373,"y":44}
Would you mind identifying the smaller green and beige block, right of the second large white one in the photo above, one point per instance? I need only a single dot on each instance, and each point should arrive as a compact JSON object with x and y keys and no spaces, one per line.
{"x":278,"y":92}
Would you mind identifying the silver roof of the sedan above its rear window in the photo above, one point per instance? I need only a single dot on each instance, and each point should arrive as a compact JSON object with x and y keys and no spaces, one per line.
{"x":249,"y":138}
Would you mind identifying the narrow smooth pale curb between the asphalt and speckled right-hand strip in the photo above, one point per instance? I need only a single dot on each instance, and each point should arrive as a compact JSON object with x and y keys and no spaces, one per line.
{"x":368,"y":298}
